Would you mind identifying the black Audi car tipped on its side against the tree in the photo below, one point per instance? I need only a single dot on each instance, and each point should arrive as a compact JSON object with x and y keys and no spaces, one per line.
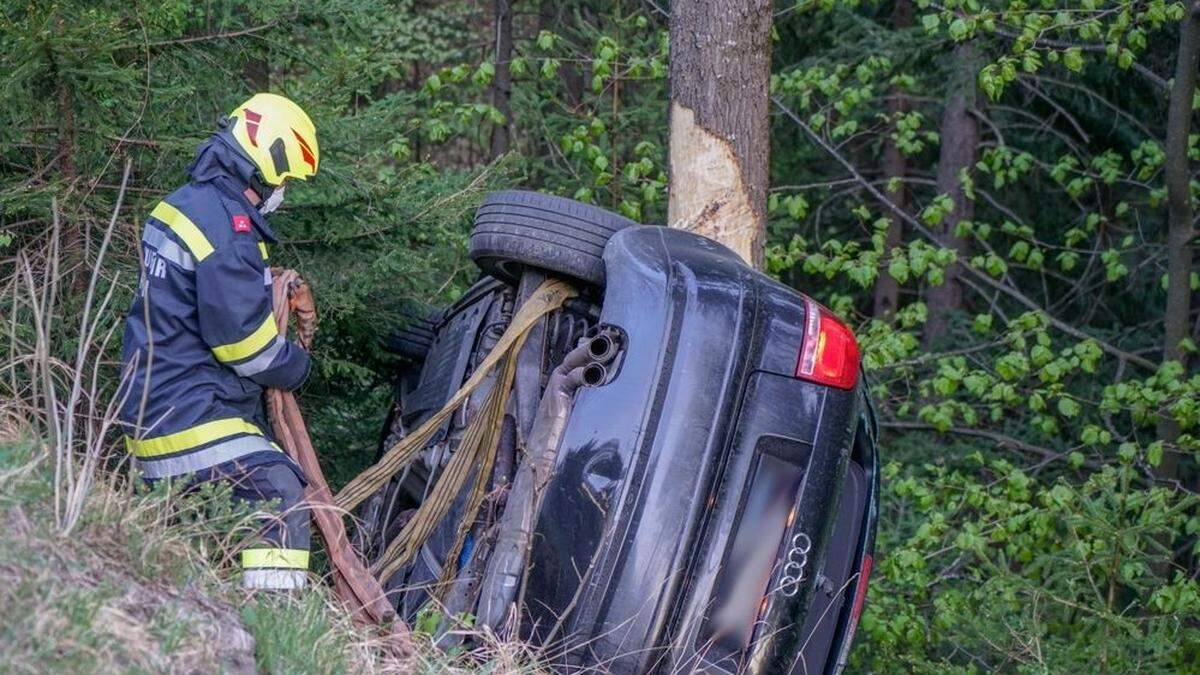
{"x":712,"y":503}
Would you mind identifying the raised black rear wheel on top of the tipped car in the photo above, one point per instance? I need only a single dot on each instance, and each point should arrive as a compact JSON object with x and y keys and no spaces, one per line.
{"x":517,"y":229}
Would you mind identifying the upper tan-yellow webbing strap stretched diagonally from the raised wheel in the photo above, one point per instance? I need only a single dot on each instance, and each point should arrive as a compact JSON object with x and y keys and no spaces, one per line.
{"x":549,"y":297}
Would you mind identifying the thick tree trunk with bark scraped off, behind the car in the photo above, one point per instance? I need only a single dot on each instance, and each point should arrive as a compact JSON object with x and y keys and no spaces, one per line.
{"x":719,"y":151}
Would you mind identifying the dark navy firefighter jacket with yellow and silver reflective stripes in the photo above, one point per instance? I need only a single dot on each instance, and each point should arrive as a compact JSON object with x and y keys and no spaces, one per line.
{"x":201,"y":343}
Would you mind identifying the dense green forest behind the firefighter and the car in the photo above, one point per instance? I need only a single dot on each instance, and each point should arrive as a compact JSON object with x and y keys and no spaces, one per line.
{"x":998,"y":195}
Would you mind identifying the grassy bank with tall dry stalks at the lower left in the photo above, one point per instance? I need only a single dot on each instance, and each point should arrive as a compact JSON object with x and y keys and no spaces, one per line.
{"x":97,"y":575}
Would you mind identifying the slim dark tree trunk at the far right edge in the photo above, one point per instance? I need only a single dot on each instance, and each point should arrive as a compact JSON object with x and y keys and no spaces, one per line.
{"x":1180,"y":214}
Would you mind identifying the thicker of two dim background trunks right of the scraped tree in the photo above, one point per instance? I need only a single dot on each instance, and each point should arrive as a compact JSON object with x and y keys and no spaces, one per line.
{"x":959,"y":153}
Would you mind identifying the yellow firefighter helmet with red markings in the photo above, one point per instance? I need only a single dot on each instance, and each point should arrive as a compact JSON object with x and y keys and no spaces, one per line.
{"x":278,"y":136}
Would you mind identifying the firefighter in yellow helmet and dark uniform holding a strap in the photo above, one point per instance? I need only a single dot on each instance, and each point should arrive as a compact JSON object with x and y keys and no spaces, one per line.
{"x":201,"y":342}
